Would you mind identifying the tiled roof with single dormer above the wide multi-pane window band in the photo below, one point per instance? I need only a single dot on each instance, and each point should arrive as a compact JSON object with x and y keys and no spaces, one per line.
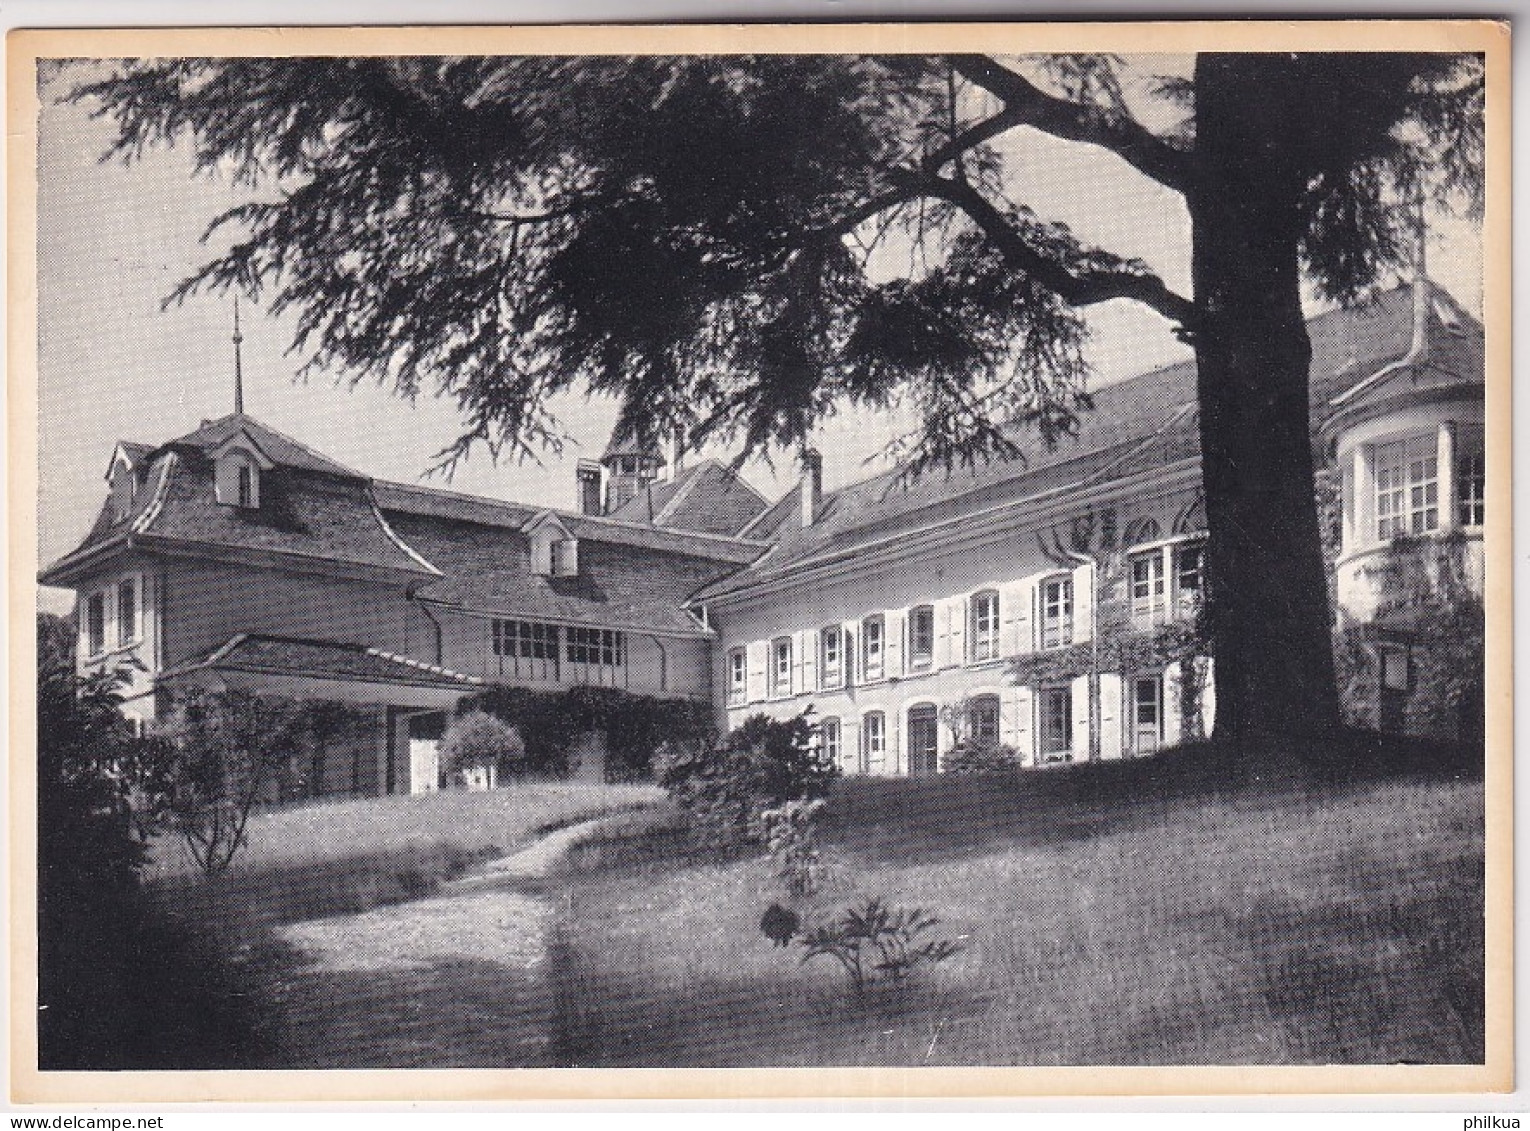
{"x":619,"y":585}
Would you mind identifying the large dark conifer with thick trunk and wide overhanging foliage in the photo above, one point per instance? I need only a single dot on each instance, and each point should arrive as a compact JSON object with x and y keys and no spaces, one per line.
{"x":700,"y":238}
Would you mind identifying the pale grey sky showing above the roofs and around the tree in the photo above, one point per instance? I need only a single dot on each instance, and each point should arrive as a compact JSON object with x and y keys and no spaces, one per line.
{"x":112,"y":365}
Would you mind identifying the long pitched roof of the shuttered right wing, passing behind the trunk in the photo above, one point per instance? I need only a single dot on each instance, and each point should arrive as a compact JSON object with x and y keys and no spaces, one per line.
{"x":1141,"y":423}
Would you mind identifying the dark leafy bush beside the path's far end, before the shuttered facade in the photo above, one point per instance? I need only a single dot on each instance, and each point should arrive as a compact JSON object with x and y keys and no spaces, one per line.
{"x":724,"y":787}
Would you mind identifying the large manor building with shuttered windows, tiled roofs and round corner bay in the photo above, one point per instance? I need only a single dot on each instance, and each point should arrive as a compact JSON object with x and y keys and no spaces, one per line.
{"x":1044,"y":604}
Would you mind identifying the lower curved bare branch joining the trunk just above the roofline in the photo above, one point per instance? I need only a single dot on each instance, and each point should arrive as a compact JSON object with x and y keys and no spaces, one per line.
{"x":1079,"y":290}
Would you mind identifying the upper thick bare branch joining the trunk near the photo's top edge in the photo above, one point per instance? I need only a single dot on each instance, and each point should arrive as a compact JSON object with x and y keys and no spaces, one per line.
{"x":1027,"y":105}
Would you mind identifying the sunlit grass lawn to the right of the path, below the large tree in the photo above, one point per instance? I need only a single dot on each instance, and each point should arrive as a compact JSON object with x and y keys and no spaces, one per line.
{"x":1115,"y":914}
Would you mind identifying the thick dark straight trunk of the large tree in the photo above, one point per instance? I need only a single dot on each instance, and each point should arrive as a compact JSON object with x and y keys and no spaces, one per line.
{"x":1268,"y":604}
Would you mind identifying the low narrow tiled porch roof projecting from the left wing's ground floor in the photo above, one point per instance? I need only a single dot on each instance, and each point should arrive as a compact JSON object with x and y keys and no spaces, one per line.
{"x":322,"y":659}
